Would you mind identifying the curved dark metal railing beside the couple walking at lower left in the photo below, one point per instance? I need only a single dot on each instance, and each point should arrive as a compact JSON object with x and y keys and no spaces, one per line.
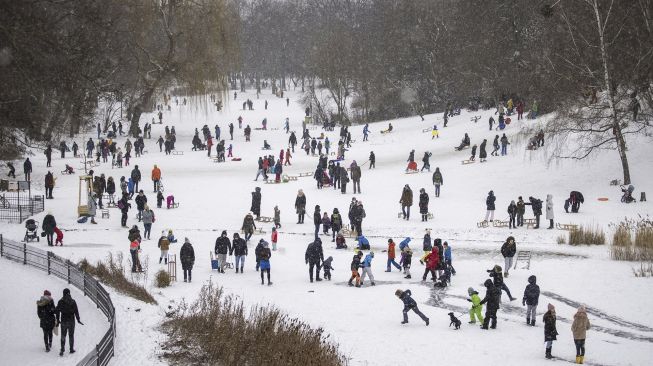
{"x":70,"y":272}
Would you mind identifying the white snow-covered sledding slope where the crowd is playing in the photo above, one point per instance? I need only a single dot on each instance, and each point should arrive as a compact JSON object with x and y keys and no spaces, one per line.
{"x":365,"y":321}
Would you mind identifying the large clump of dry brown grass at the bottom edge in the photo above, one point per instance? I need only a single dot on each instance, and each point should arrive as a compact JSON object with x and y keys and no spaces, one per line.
{"x":216,"y":330}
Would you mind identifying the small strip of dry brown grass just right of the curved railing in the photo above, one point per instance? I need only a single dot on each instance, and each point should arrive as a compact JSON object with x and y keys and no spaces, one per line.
{"x":112,"y":273}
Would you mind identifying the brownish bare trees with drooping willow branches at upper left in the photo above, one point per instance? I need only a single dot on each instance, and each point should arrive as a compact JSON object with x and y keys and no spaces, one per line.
{"x":60,"y":59}
